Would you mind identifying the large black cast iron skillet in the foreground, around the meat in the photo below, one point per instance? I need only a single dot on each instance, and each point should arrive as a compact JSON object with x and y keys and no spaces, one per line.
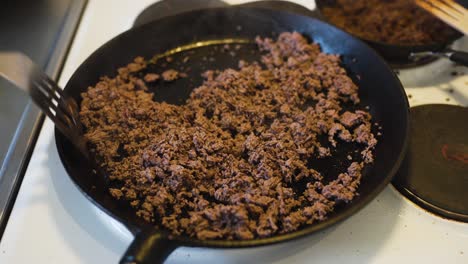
{"x":379,"y":89}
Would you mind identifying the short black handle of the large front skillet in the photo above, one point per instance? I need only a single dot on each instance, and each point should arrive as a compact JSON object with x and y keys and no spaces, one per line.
{"x":148,"y":247}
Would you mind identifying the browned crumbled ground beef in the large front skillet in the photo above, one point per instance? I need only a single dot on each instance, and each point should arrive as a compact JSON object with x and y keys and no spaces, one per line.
{"x":227,"y":164}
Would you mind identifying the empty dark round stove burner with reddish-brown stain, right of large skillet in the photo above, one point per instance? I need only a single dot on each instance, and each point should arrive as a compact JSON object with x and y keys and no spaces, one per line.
{"x":434,"y":174}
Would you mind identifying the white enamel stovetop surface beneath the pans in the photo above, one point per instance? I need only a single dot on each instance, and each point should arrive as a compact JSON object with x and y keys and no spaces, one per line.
{"x":53,"y":223}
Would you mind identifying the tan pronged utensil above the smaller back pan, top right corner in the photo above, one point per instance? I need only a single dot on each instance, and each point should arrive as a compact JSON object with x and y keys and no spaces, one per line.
{"x":448,"y":11}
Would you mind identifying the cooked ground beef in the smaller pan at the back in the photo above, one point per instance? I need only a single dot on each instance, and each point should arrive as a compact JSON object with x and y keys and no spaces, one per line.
{"x":399,"y":22}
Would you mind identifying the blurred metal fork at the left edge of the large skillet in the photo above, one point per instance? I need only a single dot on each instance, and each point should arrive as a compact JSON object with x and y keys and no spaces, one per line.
{"x":45,"y":93}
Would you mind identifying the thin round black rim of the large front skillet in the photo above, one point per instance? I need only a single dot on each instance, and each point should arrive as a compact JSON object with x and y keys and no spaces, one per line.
{"x":307,"y":230}
